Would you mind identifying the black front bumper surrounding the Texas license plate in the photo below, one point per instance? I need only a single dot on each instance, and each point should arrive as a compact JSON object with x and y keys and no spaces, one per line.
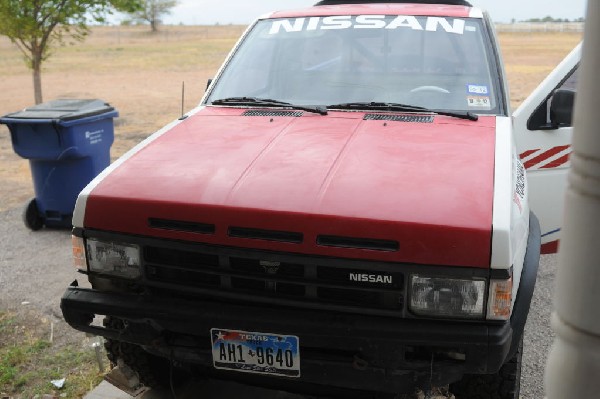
{"x":346,"y":351}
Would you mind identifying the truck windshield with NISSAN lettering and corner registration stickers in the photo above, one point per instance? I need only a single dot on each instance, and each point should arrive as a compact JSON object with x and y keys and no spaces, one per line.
{"x":431,"y":62}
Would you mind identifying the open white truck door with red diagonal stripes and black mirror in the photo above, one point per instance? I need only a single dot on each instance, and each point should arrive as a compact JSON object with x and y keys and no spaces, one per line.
{"x":543,"y":130}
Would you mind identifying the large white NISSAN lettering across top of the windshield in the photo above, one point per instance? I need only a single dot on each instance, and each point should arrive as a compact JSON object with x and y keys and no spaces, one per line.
{"x":429,"y":24}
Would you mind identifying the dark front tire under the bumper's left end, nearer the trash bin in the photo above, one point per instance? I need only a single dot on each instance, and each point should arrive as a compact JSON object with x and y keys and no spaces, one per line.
{"x":153,"y":371}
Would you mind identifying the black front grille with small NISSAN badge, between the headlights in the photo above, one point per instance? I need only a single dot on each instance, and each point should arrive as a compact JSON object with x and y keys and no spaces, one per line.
{"x":298,"y":281}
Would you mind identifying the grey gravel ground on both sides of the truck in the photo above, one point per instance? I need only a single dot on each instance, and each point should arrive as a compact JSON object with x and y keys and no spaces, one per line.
{"x":35,"y":269}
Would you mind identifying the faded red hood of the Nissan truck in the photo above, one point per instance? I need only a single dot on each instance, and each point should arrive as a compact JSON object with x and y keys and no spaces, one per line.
{"x":426,"y":186}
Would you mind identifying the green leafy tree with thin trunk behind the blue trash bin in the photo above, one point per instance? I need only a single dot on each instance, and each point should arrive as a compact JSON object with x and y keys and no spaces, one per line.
{"x":37,"y":26}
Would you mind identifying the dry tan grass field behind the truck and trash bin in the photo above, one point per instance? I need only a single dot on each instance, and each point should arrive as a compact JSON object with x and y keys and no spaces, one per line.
{"x":141,"y":73}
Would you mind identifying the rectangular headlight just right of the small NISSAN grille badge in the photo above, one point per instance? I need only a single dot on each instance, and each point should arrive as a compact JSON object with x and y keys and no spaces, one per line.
{"x":444,"y":297}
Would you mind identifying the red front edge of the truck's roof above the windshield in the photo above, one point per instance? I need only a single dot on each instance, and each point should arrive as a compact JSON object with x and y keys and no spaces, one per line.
{"x":431,"y":10}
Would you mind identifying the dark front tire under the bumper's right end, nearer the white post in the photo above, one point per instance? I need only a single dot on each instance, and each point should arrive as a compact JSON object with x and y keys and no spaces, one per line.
{"x":505,"y":384}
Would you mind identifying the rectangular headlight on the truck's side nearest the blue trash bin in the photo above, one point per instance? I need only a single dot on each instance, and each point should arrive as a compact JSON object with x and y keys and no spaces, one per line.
{"x":115,"y":259}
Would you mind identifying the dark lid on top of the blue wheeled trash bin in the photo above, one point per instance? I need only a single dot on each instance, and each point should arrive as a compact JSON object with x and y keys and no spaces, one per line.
{"x":63,"y":110}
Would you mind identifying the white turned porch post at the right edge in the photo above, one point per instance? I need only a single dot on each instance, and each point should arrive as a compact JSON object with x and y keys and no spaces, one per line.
{"x":573,"y":369}
